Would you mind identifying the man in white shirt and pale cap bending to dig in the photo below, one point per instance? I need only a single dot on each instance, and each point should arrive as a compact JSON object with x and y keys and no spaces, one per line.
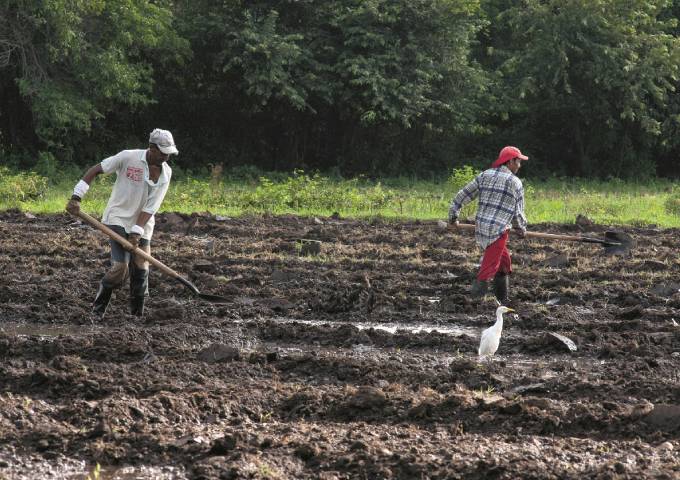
{"x":143,"y":177}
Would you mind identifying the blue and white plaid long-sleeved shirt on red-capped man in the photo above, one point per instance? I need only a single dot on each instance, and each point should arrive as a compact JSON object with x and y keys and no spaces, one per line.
{"x":501,"y":203}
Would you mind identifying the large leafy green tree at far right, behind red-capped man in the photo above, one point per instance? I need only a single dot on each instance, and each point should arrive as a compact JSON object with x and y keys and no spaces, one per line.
{"x":590,"y":80}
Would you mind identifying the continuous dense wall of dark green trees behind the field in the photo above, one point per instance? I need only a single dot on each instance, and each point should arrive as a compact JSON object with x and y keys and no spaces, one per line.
{"x":361,"y":86}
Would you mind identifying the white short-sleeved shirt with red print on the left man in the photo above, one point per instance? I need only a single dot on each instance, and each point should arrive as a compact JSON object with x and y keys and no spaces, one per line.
{"x":133,"y":191}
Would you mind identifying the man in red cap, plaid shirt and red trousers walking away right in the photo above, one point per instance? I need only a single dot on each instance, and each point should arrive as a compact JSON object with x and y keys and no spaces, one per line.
{"x":501,"y":204}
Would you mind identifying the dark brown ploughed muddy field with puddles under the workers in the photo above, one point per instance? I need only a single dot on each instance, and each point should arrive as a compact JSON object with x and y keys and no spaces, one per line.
{"x":358,"y":361}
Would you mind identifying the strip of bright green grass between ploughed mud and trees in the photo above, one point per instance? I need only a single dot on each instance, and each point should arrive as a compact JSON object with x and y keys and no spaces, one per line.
{"x":614,"y":202}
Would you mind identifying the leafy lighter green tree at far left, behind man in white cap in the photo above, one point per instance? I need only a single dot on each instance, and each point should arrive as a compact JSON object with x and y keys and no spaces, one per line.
{"x":74,"y":62}
